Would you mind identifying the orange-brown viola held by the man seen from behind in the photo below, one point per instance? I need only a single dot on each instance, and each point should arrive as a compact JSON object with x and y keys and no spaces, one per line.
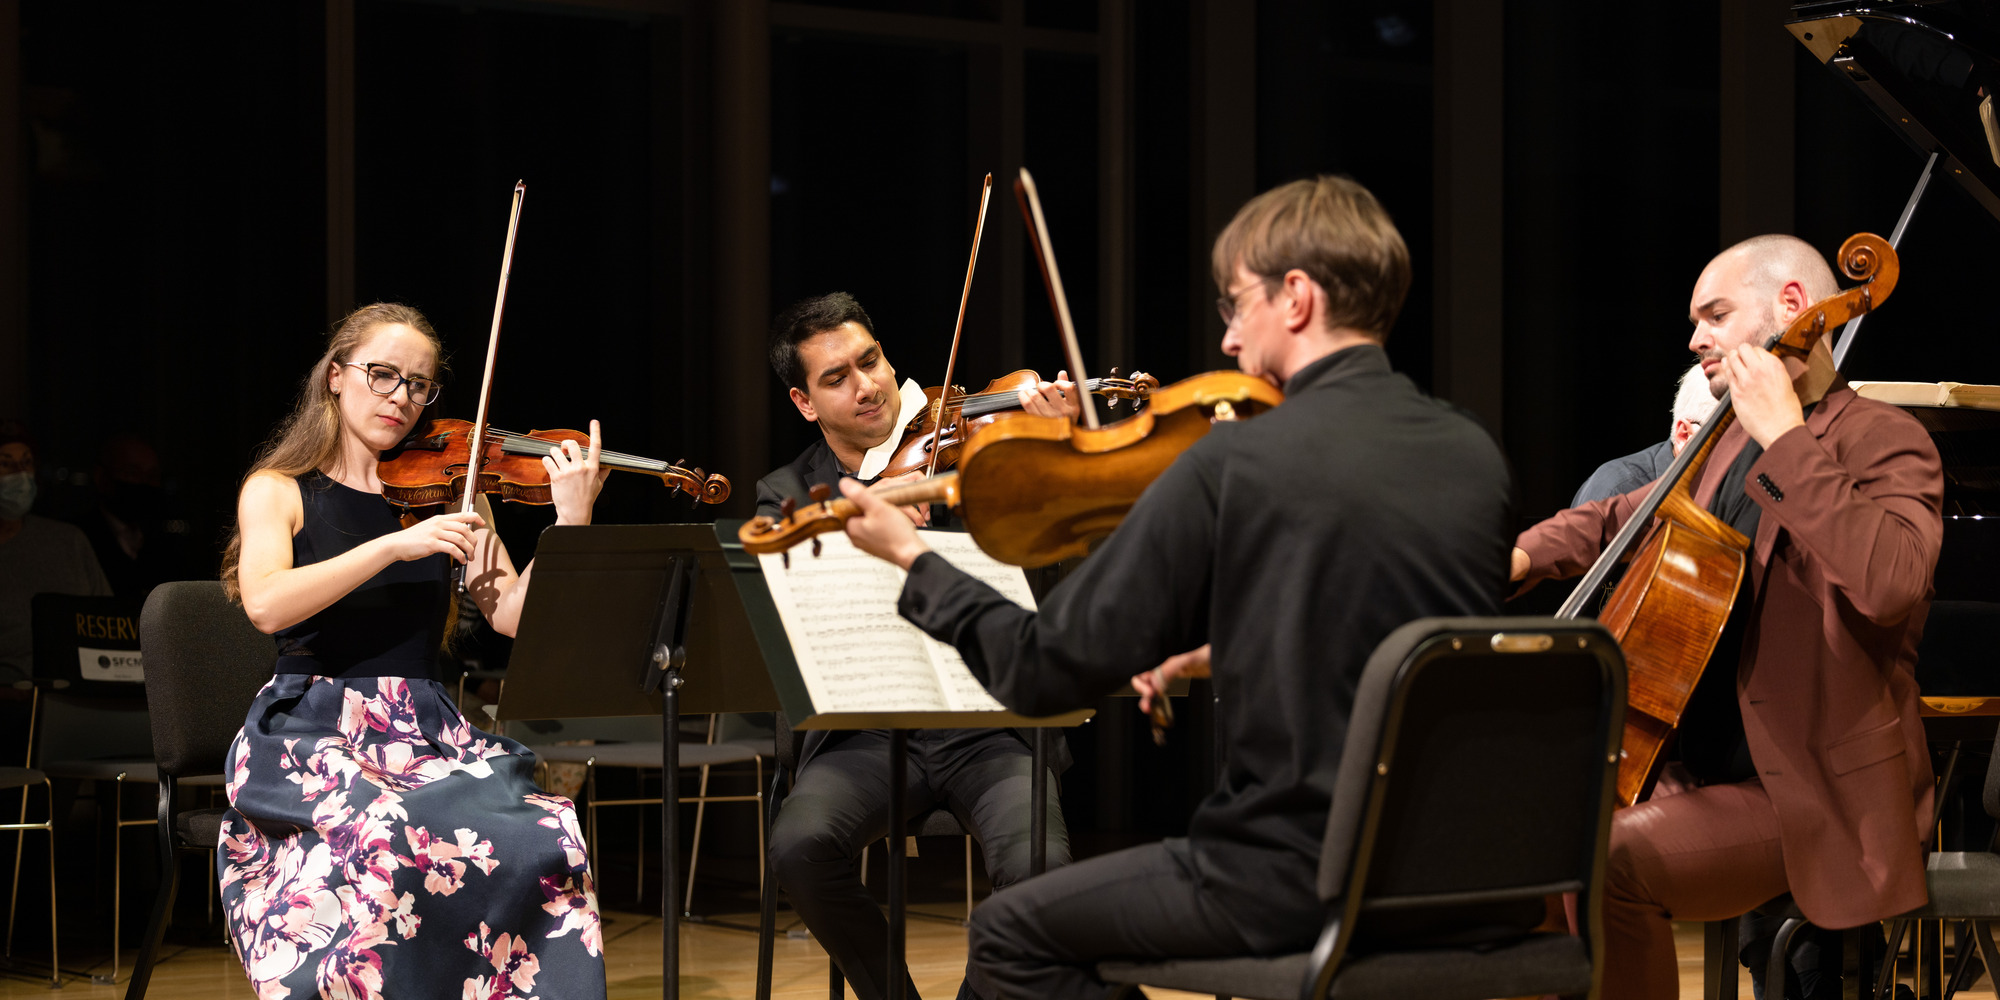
{"x":1039,"y":489}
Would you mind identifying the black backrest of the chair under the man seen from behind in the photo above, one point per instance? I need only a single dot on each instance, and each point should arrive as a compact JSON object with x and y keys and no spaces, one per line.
{"x":1477,"y":777}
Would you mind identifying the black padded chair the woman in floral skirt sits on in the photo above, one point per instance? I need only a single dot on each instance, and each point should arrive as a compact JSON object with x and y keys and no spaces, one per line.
{"x":205,"y":665}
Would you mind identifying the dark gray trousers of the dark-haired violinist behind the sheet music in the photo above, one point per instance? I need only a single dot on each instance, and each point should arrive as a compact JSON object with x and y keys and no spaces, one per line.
{"x":839,"y":805}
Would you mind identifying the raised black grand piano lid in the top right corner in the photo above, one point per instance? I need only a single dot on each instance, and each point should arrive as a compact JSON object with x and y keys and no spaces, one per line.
{"x":1921,"y":65}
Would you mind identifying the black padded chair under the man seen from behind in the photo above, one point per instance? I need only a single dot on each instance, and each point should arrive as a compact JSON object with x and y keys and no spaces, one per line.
{"x":1475,"y":783}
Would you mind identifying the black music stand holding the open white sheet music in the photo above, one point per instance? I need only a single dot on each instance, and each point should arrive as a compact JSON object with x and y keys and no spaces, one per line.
{"x":791,"y":689}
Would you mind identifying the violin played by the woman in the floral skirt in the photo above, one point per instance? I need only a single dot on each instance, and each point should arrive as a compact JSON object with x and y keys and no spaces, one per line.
{"x":433,"y":467}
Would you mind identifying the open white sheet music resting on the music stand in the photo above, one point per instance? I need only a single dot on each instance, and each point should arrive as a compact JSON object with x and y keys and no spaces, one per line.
{"x":855,"y":653}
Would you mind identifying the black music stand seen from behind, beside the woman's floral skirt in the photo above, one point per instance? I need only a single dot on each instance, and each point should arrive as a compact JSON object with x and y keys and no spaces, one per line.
{"x":615,"y":619}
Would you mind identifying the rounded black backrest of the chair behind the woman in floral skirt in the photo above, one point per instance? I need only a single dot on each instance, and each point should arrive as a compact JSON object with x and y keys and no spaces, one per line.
{"x":205,"y":665}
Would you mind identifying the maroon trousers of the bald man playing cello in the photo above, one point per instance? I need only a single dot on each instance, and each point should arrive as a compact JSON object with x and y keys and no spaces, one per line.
{"x":1703,"y":855}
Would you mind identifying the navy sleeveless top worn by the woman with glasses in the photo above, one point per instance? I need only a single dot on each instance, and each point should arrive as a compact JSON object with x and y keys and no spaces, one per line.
{"x":393,"y":625}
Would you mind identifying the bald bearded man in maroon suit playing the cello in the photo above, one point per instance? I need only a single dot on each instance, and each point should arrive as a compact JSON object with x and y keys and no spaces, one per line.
{"x":1803,"y":733}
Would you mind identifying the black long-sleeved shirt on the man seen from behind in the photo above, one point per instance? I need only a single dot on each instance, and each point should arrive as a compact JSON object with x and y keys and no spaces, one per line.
{"x":1293,"y":543}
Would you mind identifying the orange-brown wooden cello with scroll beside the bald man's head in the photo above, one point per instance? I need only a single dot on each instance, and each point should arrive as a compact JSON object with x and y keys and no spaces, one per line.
{"x":1671,"y":607}
